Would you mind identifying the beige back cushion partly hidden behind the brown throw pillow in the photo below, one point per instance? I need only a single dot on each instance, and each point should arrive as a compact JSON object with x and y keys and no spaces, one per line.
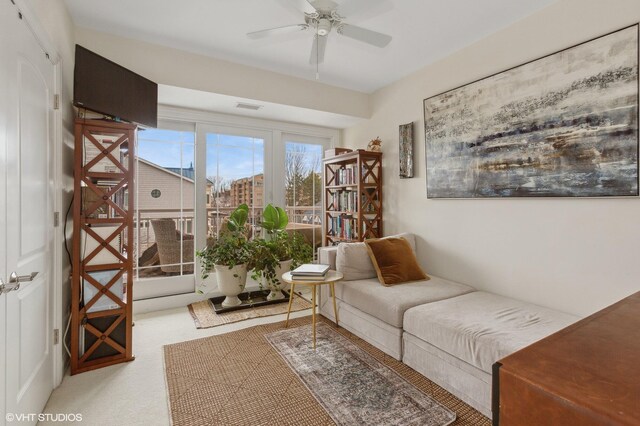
{"x":354,"y":262}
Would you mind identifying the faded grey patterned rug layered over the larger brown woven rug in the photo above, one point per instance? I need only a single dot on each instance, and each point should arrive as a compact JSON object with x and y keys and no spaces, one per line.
{"x":353,"y":386}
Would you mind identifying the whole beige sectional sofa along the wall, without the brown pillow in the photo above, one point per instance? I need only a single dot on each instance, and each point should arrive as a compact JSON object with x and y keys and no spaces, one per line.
{"x":445,"y":330}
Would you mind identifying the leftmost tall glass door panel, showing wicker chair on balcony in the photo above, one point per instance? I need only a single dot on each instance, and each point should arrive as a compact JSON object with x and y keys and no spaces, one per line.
{"x":164,"y":211}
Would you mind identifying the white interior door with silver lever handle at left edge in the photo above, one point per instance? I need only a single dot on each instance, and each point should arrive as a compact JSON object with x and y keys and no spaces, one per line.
{"x":27,"y":106}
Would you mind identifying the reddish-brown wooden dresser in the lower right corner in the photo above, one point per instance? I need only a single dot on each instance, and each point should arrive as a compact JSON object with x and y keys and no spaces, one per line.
{"x":585,"y":374}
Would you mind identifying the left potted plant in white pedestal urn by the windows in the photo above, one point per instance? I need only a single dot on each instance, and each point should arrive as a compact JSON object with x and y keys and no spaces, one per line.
{"x":230,"y":256}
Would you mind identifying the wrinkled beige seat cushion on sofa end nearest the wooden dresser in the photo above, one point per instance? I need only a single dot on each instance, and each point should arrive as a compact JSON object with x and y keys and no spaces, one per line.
{"x":482,"y":328}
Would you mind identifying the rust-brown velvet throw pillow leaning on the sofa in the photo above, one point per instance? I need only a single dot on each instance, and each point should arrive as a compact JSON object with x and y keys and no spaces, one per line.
{"x":394,"y":261}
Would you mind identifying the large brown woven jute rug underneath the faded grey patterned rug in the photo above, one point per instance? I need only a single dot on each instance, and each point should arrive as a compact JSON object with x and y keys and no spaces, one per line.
{"x":238,"y":378}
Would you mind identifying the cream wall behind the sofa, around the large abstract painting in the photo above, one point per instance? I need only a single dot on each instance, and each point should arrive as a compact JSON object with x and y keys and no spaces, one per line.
{"x":575,"y":255}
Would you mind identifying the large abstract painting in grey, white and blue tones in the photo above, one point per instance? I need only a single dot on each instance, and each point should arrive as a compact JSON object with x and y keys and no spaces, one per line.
{"x":565,"y":125}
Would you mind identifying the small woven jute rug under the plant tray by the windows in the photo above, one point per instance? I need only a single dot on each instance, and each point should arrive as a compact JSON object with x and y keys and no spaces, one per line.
{"x":205,"y":317}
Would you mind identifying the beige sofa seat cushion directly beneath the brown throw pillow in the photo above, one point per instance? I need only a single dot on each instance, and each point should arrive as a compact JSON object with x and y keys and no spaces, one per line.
{"x":389,"y":304}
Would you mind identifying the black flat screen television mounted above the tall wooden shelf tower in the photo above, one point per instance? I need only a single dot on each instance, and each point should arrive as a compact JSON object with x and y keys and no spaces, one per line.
{"x":105,"y":87}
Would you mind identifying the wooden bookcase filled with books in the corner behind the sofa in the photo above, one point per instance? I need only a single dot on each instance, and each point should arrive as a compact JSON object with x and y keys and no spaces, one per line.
{"x":353,"y":197}
